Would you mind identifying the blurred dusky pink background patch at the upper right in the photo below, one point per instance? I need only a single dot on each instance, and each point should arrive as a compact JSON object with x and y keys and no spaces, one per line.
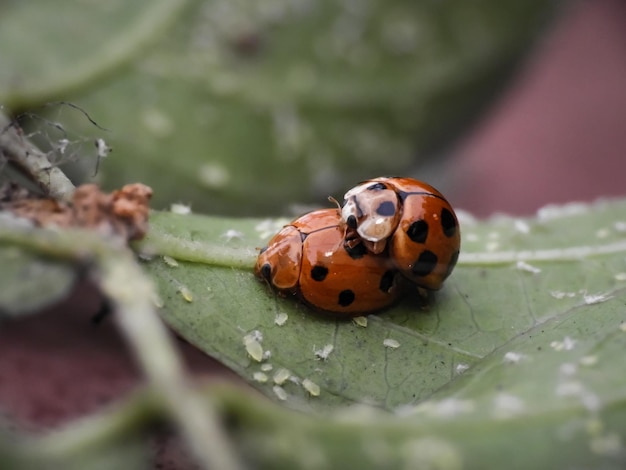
{"x":559,"y":133}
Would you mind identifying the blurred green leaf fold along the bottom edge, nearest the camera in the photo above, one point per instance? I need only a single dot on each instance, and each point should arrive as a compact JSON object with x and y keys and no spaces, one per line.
{"x":454,"y":436}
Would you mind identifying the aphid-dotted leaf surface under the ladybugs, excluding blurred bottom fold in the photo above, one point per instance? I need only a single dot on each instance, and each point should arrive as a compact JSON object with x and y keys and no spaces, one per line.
{"x":547,"y":291}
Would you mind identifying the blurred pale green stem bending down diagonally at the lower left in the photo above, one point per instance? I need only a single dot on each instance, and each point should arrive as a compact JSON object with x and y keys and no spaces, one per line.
{"x":123,"y":282}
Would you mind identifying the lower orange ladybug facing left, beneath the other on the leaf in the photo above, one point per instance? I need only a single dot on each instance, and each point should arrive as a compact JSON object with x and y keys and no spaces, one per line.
{"x":312,"y":259}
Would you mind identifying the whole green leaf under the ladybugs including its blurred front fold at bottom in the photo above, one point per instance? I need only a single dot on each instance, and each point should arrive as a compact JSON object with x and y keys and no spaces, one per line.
{"x":520,"y":354}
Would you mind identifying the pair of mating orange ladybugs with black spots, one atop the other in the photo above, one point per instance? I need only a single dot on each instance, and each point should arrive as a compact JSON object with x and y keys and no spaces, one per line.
{"x":389,"y":232}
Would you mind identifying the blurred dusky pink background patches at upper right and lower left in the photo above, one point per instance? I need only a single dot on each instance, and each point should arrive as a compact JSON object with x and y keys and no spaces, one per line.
{"x":557,"y":135}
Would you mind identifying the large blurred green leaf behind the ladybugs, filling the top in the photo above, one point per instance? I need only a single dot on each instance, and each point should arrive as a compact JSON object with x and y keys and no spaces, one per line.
{"x":249,"y":107}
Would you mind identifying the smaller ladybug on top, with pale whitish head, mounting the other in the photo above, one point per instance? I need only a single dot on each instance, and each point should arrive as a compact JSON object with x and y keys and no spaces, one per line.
{"x":410,"y":221}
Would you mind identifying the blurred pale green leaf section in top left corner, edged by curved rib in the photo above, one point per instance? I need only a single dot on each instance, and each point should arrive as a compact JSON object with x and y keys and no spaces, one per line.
{"x":48,"y":48}
